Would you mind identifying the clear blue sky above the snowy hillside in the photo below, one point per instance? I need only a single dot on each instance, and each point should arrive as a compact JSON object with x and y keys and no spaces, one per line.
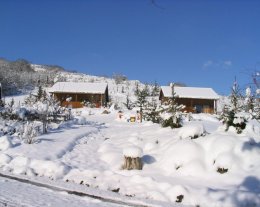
{"x":200,"y":43}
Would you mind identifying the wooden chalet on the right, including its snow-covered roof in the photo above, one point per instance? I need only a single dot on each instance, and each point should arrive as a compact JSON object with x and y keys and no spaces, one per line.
{"x":195,"y":100}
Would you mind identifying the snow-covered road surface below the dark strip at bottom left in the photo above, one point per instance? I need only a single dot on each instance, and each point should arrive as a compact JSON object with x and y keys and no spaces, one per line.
{"x":15,"y":194}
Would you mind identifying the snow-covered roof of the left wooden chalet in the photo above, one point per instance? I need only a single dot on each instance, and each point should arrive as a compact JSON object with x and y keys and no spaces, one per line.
{"x":78,"y":87}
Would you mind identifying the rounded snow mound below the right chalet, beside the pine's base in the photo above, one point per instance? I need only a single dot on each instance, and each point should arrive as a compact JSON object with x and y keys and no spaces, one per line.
{"x":192,"y":130}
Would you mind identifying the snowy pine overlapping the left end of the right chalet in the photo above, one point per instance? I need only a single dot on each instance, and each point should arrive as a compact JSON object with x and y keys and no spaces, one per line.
{"x":172,"y":111}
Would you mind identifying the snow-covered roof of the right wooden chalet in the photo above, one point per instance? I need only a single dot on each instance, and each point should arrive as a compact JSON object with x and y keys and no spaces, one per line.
{"x":190,"y":92}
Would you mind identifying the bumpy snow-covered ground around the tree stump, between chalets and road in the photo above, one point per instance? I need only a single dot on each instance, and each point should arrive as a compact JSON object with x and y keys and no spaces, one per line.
{"x":218,"y":168}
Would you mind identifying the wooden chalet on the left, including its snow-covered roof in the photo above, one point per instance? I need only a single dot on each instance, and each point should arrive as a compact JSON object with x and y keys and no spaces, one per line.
{"x":75,"y":94}
